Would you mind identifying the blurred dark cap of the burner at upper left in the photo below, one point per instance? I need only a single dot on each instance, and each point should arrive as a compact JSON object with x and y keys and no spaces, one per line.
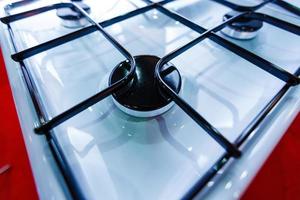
{"x":72,"y":14}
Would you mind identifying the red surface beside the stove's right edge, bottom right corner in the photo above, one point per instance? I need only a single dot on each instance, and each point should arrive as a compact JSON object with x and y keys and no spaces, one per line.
{"x":279,"y":178}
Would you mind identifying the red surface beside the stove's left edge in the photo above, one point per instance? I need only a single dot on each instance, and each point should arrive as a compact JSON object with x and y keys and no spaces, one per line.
{"x":16,"y":182}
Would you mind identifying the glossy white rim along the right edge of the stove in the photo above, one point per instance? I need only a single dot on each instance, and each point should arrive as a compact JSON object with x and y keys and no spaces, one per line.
{"x":231,"y":182}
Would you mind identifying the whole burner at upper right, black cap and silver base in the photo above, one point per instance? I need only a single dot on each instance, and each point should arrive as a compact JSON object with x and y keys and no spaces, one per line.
{"x":243,"y":28}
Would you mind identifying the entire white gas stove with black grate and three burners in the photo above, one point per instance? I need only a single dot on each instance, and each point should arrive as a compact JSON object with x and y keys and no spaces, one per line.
{"x":151,"y":100}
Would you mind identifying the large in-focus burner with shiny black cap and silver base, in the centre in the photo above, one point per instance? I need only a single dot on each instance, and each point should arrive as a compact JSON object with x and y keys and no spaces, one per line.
{"x":143,"y":97}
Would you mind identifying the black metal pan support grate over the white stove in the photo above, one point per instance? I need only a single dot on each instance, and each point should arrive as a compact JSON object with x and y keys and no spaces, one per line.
{"x":46,"y":126}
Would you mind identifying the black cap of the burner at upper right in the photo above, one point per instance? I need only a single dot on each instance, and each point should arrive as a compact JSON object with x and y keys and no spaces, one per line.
{"x":243,"y":24}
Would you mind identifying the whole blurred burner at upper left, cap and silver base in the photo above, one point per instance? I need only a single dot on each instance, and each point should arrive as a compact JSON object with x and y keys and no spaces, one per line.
{"x":71,"y":18}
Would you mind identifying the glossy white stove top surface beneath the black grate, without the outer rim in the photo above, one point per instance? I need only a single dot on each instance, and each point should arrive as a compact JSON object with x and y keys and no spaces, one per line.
{"x":114,"y":155}
